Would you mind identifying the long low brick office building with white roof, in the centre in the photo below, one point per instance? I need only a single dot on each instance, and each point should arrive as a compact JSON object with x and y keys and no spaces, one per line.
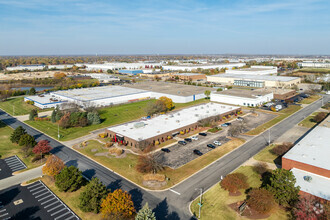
{"x":164,"y":127}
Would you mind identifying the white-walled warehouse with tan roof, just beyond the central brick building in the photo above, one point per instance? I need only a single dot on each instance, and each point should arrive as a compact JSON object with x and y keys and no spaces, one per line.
{"x":251,"y":98}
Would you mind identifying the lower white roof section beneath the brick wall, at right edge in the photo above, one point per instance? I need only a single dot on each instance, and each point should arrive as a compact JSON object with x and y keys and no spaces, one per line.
{"x":317,"y":185}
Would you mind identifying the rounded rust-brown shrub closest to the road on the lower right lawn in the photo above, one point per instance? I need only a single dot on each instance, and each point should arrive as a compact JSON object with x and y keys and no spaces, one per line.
{"x":233,"y":182}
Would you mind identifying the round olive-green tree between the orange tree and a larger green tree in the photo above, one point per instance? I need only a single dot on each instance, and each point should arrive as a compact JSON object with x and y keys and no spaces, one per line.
{"x":69,"y":179}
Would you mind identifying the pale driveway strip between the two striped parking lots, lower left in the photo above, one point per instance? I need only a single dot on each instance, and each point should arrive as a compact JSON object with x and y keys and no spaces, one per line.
{"x":20,"y":178}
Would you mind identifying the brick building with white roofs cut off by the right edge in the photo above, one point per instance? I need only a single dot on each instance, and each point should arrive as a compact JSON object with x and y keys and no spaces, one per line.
{"x":309,"y":161}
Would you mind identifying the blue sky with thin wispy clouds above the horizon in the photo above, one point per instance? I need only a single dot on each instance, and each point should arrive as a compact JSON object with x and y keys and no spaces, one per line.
{"x":84,"y":27}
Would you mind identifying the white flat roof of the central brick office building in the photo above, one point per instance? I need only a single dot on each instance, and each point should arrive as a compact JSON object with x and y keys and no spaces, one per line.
{"x":172,"y":121}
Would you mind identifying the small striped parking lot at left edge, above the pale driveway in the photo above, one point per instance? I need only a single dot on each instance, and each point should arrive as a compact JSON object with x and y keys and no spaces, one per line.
{"x":10,"y":165}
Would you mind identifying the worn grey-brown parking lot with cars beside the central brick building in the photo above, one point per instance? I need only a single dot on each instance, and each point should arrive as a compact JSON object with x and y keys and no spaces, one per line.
{"x":179,"y":154}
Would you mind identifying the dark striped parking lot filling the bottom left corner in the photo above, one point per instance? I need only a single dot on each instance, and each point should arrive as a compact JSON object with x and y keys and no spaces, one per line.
{"x":34,"y":201}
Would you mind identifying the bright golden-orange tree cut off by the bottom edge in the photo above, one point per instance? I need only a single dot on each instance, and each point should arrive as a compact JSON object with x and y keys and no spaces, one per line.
{"x":117,"y":205}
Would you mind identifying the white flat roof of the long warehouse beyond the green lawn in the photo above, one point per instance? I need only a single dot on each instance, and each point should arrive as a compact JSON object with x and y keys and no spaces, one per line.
{"x":96,"y":93}
